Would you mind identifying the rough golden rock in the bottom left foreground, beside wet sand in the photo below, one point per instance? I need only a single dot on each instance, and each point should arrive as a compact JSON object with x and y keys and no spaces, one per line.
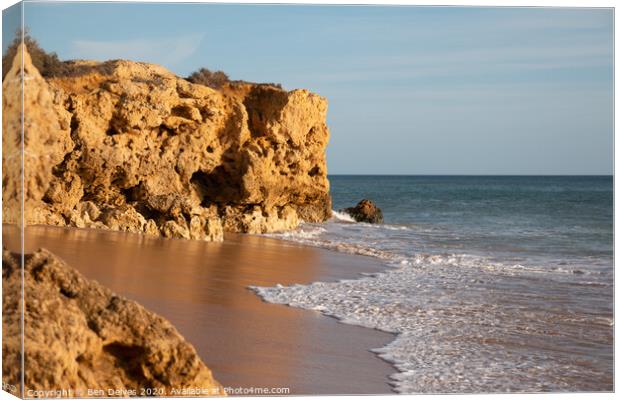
{"x":79,"y":336}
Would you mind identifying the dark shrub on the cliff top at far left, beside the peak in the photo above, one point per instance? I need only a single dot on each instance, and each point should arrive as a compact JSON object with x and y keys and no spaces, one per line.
{"x":48,"y":64}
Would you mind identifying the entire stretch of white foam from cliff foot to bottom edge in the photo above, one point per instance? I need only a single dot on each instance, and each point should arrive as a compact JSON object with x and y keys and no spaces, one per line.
{"x":463,"y":322}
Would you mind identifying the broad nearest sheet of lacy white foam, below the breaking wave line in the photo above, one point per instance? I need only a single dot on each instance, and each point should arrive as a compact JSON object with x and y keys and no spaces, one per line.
{"x":448,"y":343}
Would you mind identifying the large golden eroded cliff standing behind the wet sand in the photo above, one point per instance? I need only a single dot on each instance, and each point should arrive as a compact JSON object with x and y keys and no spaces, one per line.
{"x":130,"y":146}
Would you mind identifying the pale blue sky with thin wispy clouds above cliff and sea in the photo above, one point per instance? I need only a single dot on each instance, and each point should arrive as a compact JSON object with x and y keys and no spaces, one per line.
{"x":411,"y":90}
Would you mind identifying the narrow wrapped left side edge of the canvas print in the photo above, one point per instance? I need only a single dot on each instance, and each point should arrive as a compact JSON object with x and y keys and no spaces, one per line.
{"x":12,"y":208}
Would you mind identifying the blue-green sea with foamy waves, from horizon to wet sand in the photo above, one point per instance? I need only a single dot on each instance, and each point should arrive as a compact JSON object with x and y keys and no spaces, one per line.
{"x":492,"y":283}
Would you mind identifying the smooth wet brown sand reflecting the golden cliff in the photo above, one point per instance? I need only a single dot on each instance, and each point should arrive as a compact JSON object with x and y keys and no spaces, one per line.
{"x":202,"y":289}
